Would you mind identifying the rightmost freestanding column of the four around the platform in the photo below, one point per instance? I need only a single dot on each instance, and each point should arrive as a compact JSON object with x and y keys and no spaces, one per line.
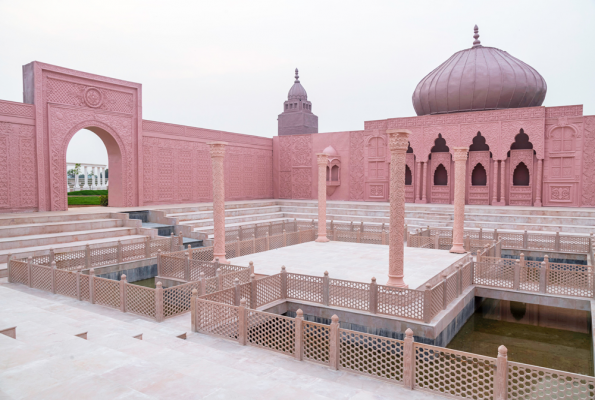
{"x":460,"y":158}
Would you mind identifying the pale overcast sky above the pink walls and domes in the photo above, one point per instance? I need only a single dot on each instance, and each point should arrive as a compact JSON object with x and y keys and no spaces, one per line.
{"x":228,"y":65}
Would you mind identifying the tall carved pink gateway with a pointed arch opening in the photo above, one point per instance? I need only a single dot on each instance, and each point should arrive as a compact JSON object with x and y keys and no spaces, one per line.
{"x":67,"y":101}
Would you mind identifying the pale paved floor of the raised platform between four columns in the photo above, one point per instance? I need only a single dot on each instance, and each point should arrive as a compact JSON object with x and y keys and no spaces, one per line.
{"x":350,"y":261}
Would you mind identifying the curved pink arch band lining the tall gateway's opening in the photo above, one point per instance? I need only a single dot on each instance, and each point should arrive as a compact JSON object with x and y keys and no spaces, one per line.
{"x":114,"y":153}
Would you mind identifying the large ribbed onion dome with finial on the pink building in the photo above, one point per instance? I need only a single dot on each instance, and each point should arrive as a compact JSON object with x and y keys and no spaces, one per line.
{"x":479,"y":78}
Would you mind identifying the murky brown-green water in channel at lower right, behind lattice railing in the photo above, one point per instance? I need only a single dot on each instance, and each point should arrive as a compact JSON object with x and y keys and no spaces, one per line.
{"x":548,"y":337}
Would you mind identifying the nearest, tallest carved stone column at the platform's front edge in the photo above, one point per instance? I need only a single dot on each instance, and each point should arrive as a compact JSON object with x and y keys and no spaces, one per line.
{"x":398,"y":142}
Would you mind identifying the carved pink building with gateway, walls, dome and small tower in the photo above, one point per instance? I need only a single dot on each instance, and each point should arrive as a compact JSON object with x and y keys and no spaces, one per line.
{"x":482,"y":98}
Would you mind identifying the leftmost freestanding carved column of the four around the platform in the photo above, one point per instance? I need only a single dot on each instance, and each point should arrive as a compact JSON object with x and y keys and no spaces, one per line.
{"x":217,"y":155}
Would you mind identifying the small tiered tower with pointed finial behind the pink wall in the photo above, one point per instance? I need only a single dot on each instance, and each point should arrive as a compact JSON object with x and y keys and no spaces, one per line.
{"x":297,"y":117}
